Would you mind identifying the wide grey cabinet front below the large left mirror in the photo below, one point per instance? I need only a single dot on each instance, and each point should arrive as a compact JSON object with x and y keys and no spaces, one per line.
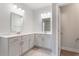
{"x":14,"y":47}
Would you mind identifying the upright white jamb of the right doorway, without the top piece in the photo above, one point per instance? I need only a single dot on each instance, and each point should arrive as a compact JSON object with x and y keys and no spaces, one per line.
{"x":58,"y":16}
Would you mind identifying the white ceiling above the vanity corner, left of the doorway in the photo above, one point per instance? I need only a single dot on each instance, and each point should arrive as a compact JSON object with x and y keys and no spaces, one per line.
{"x":35,"y":6}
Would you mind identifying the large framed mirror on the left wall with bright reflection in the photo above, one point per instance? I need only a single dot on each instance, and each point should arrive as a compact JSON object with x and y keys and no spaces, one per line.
{"x":16,"y":23}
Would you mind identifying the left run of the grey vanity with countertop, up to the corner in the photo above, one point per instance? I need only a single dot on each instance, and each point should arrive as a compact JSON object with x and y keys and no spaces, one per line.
{"x":15,"y":45}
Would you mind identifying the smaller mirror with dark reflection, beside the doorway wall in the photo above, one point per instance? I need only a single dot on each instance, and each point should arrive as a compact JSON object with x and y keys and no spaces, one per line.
{"x":46,"y":24}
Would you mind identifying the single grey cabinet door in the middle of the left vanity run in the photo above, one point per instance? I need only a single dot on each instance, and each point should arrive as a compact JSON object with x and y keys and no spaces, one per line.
{"x":25,"y":44}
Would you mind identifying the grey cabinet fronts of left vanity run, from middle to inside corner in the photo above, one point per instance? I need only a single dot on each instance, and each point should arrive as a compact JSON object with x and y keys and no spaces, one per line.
{"x":27,"y":42}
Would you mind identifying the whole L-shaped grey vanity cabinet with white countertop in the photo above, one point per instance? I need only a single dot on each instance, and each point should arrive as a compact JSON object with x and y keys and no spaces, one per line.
{"x":19,"y":44}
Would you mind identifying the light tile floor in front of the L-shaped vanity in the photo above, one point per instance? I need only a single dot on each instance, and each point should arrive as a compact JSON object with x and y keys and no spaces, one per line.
{"x":38,"y":52}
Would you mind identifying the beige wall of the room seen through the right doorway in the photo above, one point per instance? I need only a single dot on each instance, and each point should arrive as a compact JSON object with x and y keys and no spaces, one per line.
{"x":70,"y":26}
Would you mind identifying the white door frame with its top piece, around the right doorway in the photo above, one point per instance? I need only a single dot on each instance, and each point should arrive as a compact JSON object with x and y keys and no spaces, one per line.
{"x":59,"y":26}
